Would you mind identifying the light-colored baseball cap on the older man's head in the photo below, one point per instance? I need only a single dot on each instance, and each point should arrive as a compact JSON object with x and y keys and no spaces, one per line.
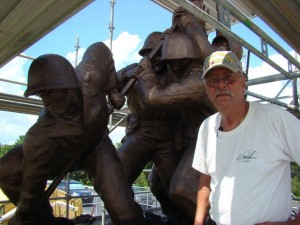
{"x":225,"y":59}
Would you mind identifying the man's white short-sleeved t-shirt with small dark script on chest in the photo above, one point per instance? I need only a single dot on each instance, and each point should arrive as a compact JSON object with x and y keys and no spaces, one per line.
{"x":250,"y":165}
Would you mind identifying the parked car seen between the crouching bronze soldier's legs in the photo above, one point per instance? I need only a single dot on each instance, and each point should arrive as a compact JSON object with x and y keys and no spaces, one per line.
{"x":76,"y":188}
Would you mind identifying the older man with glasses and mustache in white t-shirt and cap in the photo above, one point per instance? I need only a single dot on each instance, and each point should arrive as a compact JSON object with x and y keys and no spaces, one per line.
{"x":243,"y":152}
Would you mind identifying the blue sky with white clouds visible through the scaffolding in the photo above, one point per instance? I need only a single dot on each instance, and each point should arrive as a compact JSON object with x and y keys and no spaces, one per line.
{"x":133,"y":20}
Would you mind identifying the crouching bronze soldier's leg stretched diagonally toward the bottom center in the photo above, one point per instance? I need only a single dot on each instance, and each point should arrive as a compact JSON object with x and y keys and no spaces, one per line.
{"x":110,"y":182}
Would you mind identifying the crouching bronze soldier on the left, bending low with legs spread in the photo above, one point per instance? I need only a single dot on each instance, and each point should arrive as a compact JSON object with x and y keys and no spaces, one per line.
{"x":72,"y":125}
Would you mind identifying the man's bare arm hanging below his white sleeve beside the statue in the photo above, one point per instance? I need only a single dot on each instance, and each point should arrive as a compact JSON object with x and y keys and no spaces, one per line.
{"x":202,"y":199}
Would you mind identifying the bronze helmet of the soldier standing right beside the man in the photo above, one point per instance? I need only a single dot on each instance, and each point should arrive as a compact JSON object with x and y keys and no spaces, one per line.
{"x":178,"y":45}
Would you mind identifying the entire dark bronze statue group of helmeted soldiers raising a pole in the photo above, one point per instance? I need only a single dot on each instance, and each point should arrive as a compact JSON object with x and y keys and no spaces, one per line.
{"x":168,"y":104}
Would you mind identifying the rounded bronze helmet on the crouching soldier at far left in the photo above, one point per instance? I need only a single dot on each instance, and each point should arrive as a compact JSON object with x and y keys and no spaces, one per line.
{"x":50,"y":71}
